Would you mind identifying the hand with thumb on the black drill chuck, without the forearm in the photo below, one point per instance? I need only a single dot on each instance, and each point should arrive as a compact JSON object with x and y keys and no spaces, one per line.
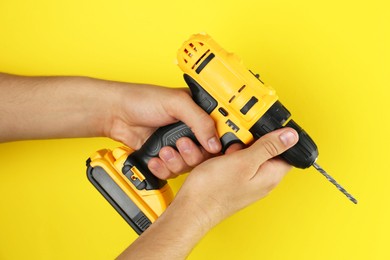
{"x":223,"y":185}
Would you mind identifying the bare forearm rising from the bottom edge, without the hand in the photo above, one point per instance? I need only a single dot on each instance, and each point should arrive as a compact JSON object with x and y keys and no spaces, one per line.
{"x":175,"y":233}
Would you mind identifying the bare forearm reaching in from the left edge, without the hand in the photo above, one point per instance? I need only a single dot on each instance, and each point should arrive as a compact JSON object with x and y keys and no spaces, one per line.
{"x":52,"y":107}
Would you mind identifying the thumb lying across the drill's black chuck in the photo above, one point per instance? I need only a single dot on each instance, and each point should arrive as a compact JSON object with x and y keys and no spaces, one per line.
{"x":273,"y":144}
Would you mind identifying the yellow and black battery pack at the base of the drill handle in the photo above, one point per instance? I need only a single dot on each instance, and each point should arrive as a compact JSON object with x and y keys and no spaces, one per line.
{"x":140,"y":207}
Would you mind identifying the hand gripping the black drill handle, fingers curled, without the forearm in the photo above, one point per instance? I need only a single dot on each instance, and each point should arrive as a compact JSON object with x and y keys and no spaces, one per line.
{"x":144,"y":108}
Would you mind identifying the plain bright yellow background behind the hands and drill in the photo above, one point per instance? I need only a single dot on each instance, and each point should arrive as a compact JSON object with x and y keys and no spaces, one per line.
{"x":329,"y":62}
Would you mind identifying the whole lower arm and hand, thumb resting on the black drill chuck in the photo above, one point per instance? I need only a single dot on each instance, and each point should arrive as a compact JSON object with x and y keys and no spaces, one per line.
{"x":213,"y":191}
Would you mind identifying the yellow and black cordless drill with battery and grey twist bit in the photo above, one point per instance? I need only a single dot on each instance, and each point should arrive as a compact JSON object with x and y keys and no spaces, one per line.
{"x":243,"y":108}
